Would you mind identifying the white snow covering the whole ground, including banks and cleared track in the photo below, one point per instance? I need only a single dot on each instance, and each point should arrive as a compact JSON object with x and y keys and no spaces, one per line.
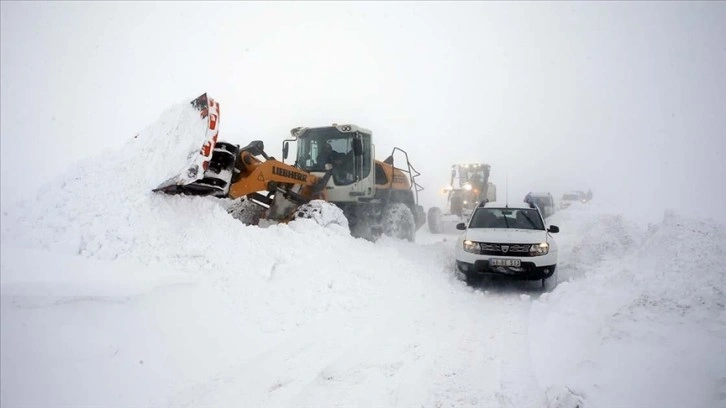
{"x":115,"y":296}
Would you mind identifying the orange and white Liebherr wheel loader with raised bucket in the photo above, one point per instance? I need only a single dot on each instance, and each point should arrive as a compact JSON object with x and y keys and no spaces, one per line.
{"x":335,"y":164}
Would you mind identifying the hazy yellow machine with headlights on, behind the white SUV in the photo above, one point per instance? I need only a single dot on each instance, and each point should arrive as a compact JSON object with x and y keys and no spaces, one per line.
{"x":469,"y":186}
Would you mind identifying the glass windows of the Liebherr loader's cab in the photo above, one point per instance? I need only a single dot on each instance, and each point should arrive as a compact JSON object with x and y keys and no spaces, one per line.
{"x":319,"y":146}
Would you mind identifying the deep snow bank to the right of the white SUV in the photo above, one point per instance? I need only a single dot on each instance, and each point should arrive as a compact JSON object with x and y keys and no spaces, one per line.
{"x":642,"y":319}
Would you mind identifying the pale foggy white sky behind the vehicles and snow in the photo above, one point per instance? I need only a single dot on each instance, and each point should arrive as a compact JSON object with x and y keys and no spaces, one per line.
{"x":625,"y":98}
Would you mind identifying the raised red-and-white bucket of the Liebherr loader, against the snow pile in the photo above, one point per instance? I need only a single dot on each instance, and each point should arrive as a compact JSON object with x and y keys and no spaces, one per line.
{"x":189,"y":178}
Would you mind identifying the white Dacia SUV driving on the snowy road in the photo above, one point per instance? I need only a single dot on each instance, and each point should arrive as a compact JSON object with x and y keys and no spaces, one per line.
{"x":509,"y":241}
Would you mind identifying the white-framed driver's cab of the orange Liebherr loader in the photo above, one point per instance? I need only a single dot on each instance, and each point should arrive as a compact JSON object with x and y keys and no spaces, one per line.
{"x":347,"y":149}
